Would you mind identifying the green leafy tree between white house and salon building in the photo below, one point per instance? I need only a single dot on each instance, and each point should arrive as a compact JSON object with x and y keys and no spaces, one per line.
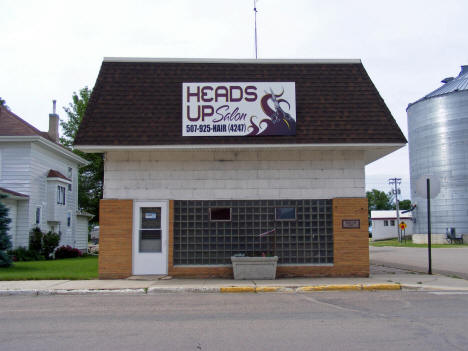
{"x":91,"y":177}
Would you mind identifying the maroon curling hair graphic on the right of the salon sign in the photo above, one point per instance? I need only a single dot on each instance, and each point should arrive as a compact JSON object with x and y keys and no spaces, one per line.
{"x":279,"y":121}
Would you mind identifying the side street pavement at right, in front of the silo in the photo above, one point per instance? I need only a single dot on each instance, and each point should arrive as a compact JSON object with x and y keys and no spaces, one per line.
{"x":449,"y":261}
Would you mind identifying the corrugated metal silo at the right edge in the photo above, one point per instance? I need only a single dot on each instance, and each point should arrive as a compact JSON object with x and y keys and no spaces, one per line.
{"x":438,"y":145}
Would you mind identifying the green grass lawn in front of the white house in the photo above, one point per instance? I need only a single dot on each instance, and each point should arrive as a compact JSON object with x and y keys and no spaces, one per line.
{"x":68,"y":268}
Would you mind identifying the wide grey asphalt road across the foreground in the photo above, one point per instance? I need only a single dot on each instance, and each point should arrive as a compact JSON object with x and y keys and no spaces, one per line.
{"x":399,"y":320}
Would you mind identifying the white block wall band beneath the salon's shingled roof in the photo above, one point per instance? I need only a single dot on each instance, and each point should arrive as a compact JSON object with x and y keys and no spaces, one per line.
{"x":243,"y":174}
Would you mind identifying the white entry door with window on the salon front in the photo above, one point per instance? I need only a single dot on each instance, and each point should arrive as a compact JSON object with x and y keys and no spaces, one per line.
{"x":150,"y":247}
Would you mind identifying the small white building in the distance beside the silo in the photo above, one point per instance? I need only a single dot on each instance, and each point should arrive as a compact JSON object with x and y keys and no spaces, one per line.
{"x":385,"y":224}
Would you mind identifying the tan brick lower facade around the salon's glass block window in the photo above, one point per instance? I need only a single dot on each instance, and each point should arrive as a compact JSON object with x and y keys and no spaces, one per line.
{"x":351,"y":246}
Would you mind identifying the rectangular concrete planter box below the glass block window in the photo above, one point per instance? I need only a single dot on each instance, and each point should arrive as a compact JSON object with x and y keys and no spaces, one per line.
{"x":254,"y":267}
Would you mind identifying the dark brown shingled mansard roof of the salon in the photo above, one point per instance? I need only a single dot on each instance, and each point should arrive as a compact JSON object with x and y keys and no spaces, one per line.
{"x":138,"y":102}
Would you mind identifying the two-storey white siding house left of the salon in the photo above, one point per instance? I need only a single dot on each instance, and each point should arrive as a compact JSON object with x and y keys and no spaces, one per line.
{"x":40,"y":179}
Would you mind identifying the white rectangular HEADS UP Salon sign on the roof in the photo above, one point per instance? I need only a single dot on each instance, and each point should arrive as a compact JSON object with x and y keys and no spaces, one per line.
{"x":238,"y":109}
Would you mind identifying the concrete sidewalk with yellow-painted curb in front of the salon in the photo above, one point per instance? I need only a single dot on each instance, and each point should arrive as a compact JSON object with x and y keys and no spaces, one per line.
{"x":381,"y":278}
